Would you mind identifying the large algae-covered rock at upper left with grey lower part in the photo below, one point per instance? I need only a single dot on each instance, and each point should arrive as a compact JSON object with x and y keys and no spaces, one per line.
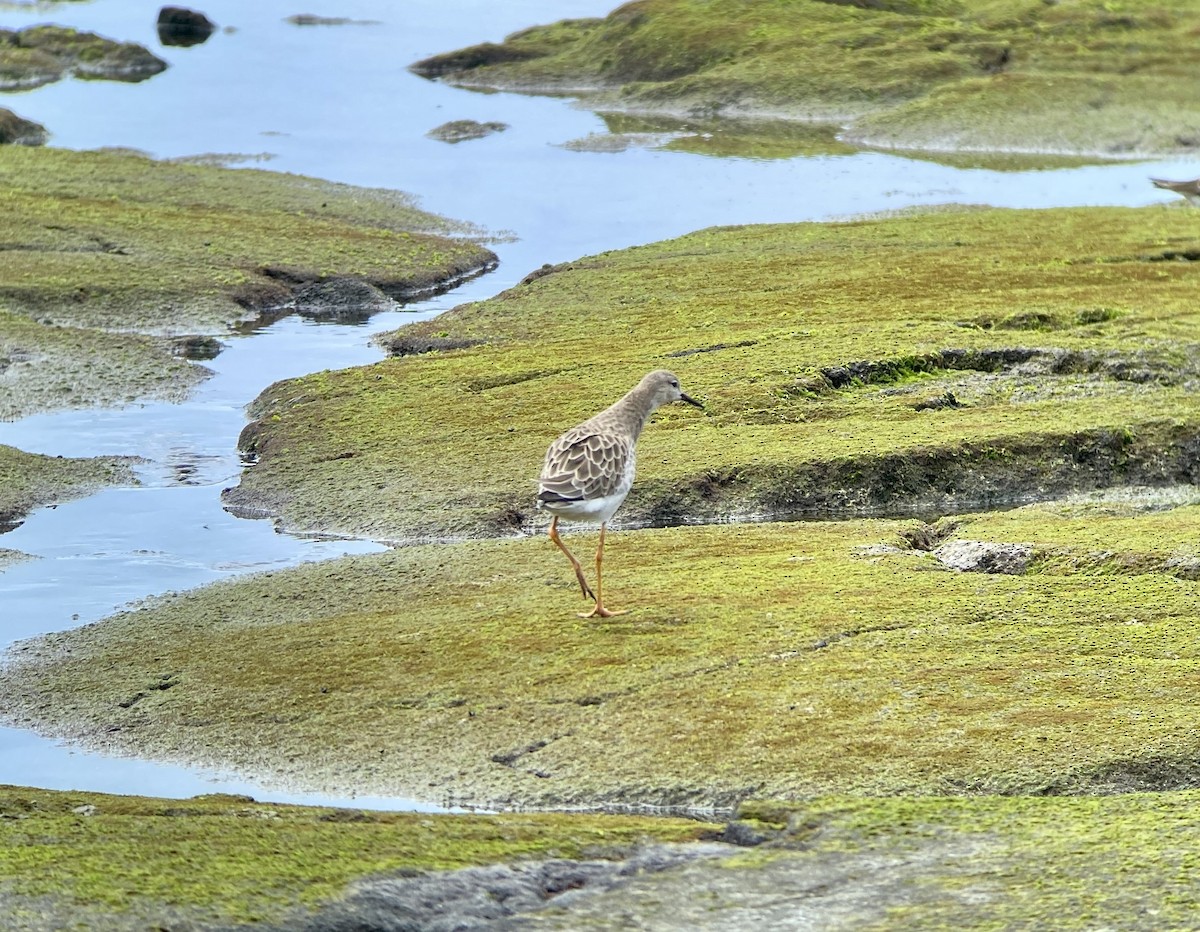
{"x":109,"y":254}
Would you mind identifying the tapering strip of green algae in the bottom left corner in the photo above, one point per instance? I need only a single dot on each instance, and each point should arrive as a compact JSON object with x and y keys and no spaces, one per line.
{"x":119,"y":862}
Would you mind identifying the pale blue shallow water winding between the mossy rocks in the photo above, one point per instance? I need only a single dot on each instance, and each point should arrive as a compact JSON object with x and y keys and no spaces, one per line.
{"x":337,"y":103}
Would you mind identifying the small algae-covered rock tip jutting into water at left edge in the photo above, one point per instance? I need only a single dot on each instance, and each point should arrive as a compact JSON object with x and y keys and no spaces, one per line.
{"x":28,"y":480}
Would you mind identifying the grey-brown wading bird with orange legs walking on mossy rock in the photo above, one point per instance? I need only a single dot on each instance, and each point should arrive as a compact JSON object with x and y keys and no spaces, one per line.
{"x":590,"y":470}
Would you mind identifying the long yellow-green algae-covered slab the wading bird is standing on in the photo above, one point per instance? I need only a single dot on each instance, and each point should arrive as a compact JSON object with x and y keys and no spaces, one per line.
{"x":823,"y":662}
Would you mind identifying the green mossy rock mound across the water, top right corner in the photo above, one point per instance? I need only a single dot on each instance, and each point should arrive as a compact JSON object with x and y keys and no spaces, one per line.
{"x":1091,"y":77}
